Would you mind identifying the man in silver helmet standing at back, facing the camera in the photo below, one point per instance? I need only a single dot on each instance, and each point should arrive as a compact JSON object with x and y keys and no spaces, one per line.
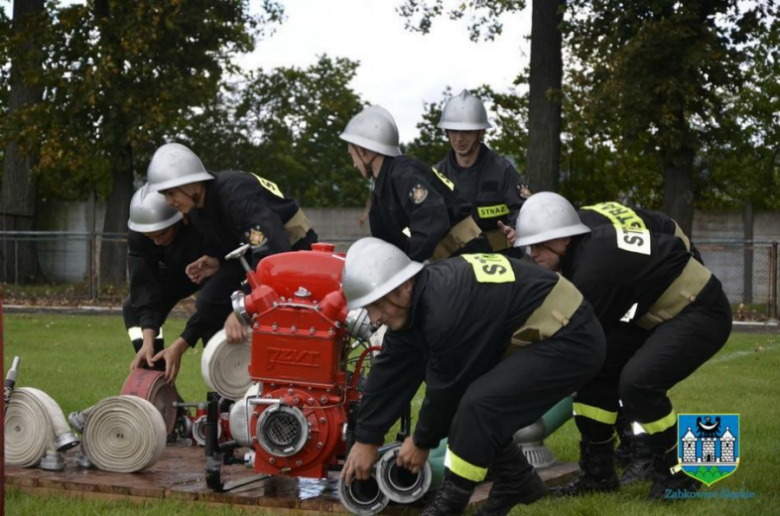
{"x":488,"y":181}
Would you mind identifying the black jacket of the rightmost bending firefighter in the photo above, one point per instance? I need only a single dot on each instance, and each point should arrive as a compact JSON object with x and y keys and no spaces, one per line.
{"x":613,"y":270}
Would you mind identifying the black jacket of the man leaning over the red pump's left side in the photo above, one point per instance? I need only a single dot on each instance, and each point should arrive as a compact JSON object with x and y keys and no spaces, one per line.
{"x":238,"y":209}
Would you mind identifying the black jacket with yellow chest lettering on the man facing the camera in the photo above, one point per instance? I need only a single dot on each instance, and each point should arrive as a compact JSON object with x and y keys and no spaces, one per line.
{"x":492,"y":185}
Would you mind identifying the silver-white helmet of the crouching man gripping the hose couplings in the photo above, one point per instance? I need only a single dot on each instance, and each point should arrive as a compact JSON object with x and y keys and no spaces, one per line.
{"x":373,"y":268}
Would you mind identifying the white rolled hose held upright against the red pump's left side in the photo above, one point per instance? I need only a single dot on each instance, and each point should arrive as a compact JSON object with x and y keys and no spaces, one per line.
{"x":225,"y":367}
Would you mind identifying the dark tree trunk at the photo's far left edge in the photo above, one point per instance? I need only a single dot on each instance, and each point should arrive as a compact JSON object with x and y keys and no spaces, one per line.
{"x":17,"y":194}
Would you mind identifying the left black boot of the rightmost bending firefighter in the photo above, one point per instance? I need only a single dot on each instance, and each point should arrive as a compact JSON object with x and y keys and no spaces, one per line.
{"x":597,"y":470}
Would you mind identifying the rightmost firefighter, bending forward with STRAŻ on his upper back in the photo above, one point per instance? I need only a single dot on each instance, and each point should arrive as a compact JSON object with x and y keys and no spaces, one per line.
{"x":649,"y":278}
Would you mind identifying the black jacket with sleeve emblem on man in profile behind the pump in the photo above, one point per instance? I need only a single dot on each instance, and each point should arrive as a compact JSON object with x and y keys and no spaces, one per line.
{"x":409,"y":195}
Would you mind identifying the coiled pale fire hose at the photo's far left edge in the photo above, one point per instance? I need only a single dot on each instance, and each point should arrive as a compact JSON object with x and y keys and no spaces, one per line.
{"x":36,"y":430}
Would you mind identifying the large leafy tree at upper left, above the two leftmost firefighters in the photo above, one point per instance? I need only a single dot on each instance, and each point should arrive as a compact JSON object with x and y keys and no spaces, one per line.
{"x":119,"y":77}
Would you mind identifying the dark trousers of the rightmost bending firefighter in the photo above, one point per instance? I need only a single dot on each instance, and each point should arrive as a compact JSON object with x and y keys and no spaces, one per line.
{"x":641,"y":373}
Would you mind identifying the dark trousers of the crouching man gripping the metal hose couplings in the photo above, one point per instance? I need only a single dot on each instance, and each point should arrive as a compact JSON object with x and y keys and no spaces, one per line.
{"x":522,"y":388}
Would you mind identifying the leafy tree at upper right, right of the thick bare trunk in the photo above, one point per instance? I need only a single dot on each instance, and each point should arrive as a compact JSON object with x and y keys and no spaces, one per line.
{"x":662,"y":71}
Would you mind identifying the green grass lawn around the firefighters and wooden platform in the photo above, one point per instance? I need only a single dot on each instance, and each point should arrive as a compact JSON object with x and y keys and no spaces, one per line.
{"x":79,"y":360}
